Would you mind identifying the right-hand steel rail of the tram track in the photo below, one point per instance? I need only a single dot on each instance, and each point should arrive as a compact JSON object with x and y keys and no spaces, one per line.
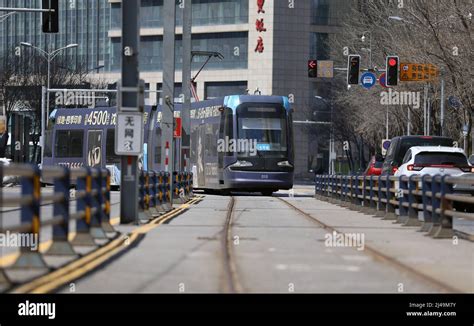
{"x":380,"y":256}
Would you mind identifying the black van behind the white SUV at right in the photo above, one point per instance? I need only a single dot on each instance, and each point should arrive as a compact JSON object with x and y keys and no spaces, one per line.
{"x":400,"y":145}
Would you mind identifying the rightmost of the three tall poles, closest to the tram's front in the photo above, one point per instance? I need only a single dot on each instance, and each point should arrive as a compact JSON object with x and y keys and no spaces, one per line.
{"x":187,"y":62}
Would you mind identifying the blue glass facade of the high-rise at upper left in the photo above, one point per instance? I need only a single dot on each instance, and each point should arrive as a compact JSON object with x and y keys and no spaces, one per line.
{"x":83,"y":22}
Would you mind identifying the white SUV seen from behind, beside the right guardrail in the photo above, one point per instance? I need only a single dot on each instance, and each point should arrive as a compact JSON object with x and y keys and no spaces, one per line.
{"x":435,"y":160}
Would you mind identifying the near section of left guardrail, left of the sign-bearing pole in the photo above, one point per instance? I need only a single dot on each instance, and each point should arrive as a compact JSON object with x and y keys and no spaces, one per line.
{"x":92,"y":213}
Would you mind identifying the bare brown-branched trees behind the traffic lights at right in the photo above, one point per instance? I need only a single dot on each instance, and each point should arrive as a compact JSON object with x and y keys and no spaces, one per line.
{"x":439,"y":32}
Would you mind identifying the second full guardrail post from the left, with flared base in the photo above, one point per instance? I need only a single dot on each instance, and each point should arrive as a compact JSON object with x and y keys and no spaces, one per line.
{"x":61,"y":245}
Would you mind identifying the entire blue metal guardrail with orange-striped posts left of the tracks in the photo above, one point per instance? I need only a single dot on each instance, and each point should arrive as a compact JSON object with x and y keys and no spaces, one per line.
{"x":92,"y":214}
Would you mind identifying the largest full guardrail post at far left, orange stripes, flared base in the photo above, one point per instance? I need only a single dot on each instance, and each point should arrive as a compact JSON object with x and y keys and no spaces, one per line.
{"x":30,"y":256}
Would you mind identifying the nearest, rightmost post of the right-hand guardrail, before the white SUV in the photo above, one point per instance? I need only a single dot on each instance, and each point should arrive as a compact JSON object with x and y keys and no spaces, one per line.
{"x":445,"y":228}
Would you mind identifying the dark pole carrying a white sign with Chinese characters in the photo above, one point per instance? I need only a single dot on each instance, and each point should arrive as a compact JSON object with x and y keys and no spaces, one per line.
{"x":130,"y":106}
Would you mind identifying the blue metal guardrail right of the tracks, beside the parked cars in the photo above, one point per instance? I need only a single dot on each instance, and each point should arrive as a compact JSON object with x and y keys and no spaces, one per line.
{"x":402,"y":199}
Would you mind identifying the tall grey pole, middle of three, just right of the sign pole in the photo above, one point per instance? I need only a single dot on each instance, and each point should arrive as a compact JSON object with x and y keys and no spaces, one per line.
{"x":167,"y":120}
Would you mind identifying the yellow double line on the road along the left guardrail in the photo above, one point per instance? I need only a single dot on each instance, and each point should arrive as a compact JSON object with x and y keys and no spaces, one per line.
{"x":80,"y":267}
